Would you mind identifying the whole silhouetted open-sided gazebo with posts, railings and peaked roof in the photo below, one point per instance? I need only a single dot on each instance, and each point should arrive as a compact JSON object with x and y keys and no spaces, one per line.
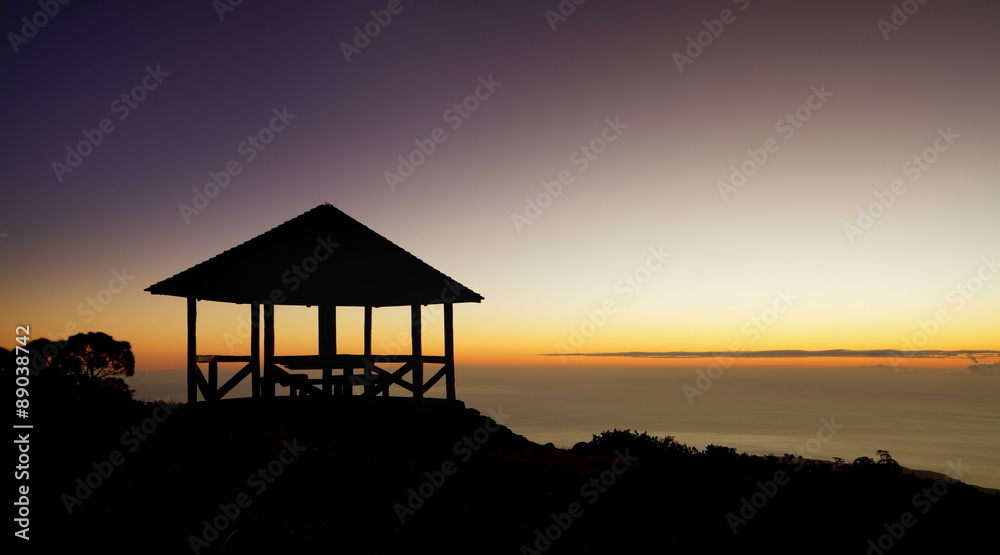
{"x":322,"y":258}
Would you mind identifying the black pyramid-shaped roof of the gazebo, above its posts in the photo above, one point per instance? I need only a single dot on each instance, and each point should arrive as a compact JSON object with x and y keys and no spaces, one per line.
{"x":320,"y":257}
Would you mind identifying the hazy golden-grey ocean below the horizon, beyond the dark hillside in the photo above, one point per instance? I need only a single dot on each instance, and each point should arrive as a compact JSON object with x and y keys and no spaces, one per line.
{"x":934,"y":419}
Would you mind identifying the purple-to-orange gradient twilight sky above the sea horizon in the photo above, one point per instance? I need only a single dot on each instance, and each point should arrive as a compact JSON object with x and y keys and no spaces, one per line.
{"x":611,"y":176}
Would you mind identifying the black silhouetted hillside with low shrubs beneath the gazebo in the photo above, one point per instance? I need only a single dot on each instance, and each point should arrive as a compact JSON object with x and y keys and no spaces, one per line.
{"x":460,"y":483}
